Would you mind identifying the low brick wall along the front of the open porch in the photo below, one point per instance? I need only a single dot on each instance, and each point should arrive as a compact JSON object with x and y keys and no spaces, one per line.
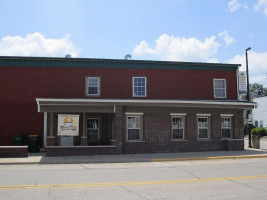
{"x":53,"y":151}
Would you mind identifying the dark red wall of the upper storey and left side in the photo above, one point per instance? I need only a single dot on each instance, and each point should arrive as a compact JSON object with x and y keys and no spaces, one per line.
{"x":20,"y":86}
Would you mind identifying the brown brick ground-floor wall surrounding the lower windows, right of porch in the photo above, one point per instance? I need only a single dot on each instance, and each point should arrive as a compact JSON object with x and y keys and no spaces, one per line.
{"x":157,"y":136}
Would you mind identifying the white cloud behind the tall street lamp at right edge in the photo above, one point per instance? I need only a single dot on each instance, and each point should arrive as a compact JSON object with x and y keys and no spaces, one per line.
{"x":257,"y":63}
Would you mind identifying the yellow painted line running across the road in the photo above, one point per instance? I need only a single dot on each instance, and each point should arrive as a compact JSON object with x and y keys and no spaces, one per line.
{"x":4,"y":187}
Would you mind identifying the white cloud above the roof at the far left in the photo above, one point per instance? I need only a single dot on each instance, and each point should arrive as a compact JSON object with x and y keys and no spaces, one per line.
{"x":36,"y":44}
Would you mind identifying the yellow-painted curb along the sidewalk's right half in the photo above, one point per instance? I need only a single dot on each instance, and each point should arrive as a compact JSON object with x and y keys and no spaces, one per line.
{"x":210,"y":158}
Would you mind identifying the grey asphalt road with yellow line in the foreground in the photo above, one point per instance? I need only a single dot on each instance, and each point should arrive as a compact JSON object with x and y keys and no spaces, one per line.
{"x":214,"y":179}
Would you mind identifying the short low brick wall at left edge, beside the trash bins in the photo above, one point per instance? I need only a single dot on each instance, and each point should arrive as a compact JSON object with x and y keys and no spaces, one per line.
{"x":13,"y":151}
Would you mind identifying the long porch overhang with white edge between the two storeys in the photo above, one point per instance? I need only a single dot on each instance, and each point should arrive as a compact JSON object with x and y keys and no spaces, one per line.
{"x":108,"y":105}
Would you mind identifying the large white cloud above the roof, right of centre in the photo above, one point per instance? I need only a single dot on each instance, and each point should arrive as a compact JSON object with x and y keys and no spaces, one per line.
{"x":180,"y":49}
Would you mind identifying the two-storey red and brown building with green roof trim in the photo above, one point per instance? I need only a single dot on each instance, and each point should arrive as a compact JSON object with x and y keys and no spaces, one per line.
{"x":121,"y":106}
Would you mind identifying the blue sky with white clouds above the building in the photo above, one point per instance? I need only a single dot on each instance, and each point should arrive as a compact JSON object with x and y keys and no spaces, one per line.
{"x":174,"y":30}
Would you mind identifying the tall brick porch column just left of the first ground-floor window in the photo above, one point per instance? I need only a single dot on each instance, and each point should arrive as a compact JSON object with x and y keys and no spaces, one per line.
{"x":119,"y":127}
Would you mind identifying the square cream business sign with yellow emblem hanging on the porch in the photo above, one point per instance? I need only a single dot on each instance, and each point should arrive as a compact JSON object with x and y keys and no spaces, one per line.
{"x":68,"y":125}
